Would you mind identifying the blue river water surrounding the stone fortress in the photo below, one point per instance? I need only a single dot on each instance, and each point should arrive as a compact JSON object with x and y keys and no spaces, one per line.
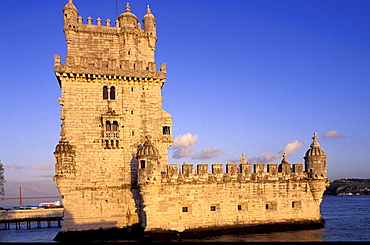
{"x":347,"y":219}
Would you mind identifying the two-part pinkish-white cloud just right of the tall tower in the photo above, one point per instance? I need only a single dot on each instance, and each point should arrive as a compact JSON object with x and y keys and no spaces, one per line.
{"x":184,"y":145}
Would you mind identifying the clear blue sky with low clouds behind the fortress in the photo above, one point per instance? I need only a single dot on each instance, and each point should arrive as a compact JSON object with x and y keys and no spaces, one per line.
{"x":243,"y":76}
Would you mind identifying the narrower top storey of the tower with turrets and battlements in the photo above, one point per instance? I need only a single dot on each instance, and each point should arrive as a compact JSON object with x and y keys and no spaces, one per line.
{"x":98,"y":47}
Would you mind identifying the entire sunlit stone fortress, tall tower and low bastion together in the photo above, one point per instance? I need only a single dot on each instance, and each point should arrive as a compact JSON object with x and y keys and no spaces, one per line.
{"x":112,"y":159}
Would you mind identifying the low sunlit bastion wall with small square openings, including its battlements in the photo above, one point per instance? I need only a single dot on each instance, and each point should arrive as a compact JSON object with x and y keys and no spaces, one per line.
{"x":199,"y":200}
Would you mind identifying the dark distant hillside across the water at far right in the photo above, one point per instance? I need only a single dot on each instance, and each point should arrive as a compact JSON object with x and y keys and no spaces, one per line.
{"x":348,"y":187}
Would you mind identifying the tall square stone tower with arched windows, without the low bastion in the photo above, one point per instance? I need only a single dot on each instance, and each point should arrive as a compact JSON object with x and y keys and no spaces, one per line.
{"x":111,"y":111}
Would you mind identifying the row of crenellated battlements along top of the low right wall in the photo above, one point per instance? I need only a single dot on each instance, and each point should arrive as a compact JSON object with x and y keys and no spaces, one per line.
{"x":214,"y":173}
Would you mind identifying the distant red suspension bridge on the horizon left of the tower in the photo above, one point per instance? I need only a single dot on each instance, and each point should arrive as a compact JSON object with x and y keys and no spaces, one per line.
{"x":30,"y":194}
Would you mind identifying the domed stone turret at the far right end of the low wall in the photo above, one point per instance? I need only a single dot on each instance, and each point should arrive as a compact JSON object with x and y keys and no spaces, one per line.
{"x":315,"y":160}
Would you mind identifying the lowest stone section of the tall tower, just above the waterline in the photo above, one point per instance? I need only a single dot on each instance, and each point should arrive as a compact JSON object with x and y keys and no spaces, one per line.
{"x":92,"y":208}
